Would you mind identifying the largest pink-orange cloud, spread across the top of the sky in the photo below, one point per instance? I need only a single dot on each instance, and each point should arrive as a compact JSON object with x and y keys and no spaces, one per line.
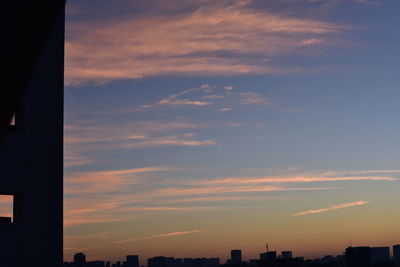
{"x":194,"y":42}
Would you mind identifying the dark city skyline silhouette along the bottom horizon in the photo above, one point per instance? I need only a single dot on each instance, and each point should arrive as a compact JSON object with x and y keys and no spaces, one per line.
{"x":362,"y":256}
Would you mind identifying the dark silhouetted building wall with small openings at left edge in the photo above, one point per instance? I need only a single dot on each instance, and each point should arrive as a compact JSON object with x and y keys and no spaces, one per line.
{"x":31,"y":150}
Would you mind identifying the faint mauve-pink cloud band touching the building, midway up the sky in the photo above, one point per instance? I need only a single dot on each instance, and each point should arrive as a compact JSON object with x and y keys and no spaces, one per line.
{"x":81,"y":140}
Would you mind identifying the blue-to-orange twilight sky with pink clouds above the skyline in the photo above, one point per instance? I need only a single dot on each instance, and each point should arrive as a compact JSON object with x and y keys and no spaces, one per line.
{"x":197,"y":127}
